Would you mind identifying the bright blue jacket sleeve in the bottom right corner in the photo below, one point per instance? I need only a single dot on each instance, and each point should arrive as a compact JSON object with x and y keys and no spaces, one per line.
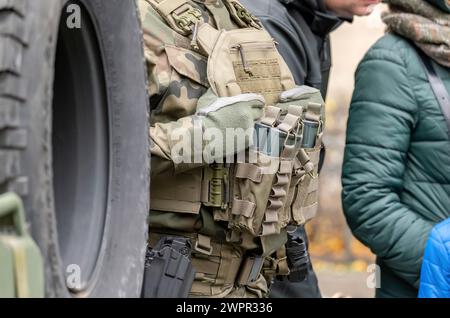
{"x":435,"y":275}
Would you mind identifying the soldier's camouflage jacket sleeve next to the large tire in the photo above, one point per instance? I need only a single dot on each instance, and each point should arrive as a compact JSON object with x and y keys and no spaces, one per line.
{"x":162,"y":77}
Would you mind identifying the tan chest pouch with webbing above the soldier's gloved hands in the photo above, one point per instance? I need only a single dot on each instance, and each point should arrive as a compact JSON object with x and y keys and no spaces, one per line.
{"x":244,"y":61}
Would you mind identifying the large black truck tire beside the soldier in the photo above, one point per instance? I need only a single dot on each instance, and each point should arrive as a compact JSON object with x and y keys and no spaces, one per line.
{"x":74,"y":139}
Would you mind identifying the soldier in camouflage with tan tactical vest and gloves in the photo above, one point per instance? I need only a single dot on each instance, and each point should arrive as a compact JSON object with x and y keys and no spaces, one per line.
{"x":212,"y":67}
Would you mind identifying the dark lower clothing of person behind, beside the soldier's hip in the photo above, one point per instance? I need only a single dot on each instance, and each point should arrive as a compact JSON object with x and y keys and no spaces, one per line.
{"x":309,"y":288}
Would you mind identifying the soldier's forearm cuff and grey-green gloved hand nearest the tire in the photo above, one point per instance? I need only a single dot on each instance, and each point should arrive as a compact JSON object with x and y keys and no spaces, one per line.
{"x":179,"y":142}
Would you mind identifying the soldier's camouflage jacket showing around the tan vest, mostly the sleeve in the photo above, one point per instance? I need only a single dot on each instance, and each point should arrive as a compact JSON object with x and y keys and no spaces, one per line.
{"x":177,"y":74}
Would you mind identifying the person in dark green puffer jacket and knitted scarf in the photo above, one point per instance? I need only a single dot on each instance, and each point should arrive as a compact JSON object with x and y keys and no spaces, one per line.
{"x":396,"y":172}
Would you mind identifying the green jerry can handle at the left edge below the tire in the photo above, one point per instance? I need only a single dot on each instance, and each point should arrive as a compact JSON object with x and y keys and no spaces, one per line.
{"x":11,"y":204}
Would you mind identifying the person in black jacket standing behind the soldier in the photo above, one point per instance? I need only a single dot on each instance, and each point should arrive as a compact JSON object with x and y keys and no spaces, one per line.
{"x":302,"y":28}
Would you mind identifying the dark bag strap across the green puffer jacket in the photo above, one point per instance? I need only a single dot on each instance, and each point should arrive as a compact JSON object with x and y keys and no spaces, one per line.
{"x":438,"y":87}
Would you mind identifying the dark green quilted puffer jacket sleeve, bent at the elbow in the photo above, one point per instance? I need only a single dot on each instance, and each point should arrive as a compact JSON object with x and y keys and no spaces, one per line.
{"x":381,"y":119}
